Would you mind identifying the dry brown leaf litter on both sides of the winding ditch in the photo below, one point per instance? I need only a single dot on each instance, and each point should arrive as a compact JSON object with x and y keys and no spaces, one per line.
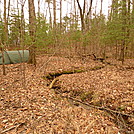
{"x":33,"y":108}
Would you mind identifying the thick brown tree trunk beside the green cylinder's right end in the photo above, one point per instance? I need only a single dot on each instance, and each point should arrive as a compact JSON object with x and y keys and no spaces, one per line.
{"x":32,"y":28}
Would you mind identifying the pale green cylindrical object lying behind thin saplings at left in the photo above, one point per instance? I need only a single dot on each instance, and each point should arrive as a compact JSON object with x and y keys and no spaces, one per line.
{"x":13,"y":57}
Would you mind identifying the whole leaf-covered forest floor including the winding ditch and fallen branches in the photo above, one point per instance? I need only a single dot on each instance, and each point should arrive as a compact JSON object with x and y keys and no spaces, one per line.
{"x":97,"y":100}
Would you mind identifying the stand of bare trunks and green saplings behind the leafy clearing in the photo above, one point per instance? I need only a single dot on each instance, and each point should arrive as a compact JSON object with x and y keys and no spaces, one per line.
{"x":81,"y":31}
